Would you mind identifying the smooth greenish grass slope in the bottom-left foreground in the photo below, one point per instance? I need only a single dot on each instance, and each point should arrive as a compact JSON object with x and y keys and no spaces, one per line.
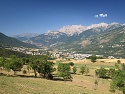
{"x":17,"y":85}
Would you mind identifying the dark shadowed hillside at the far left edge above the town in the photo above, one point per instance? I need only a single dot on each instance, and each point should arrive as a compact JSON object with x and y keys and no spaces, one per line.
{"x":9,"y":41}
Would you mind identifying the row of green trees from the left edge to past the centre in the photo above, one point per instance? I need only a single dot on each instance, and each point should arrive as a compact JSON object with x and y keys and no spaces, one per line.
{"x":40,"y":65}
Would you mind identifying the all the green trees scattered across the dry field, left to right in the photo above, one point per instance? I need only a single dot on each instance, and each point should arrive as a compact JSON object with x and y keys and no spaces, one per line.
{"x":42,"y":66}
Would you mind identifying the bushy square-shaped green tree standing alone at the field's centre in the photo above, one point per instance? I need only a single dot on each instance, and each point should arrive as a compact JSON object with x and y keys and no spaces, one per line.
{"x":64,"y":71}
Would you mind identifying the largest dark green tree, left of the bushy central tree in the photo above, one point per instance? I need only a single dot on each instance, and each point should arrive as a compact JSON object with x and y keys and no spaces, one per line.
{"x":42,"y":66}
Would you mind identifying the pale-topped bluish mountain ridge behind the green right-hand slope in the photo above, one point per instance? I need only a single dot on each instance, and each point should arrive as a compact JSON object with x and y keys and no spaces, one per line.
{"x":72,"y":33}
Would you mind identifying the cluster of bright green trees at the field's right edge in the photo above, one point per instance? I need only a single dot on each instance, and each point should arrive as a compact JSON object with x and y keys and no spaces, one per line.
{"x":117,"y":75}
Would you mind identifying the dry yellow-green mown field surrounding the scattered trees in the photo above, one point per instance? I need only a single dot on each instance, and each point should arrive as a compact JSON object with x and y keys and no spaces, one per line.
{"x":80,"y":84}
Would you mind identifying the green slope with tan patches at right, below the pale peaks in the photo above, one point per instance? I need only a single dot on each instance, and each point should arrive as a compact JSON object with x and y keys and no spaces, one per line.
{"x":111,"y":43}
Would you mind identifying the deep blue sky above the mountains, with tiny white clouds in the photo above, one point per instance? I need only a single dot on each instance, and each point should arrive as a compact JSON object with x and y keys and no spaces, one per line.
{"x":39,"y":16}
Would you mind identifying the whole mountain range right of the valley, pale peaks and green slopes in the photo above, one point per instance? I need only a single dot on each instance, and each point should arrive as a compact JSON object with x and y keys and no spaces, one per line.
{"x":102,"y":38}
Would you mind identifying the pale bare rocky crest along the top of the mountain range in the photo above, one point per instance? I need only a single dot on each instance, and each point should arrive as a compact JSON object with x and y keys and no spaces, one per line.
{"x":77,"y":29}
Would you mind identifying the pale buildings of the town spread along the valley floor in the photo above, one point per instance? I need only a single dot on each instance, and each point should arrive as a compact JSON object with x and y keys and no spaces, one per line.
{"x":55,"y":54}
